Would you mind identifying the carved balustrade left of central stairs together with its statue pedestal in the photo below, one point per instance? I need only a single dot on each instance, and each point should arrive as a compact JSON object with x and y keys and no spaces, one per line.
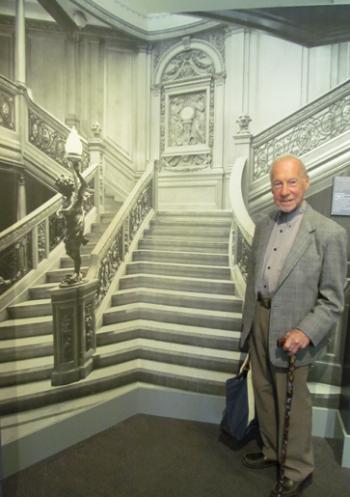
{"x":77,"y":309}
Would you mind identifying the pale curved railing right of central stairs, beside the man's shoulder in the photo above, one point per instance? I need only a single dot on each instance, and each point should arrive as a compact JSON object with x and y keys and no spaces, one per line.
{"x":242,"y":231}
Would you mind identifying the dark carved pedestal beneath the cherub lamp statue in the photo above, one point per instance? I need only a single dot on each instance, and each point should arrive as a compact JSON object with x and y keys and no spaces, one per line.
{"x":74,"y":329}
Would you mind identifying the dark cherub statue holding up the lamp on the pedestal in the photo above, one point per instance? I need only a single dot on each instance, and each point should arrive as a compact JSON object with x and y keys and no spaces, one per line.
{"x":72,"y":210}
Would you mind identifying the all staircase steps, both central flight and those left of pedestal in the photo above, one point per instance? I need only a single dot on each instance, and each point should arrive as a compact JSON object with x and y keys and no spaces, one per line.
{"x":174,"y":321}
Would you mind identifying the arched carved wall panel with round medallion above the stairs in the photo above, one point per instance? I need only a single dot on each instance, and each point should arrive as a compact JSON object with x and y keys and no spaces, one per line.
{"x":187,"y":112}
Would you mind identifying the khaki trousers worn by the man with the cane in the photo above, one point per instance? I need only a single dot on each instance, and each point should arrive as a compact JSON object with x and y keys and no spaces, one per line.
{"x":270,"y":387}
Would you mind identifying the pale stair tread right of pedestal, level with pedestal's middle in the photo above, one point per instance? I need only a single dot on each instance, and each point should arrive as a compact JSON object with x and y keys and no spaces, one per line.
{"x":156,"y":325}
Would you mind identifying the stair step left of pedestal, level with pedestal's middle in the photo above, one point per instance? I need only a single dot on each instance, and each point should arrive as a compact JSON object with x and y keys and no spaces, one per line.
{"x":11,"y":328}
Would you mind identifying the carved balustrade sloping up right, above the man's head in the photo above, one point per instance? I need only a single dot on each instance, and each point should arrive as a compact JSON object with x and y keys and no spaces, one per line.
{"x":308,"y":128}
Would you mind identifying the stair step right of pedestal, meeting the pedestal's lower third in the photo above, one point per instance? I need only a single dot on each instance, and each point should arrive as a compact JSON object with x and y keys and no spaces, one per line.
{"x":171,"y":353}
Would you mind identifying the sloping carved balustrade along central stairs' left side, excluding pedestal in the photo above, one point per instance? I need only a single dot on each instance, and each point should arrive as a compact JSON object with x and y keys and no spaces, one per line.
{"x":110,"y":251}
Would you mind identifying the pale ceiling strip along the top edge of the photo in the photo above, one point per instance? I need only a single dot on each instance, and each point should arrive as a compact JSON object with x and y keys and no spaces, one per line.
{"x":309,"y":23}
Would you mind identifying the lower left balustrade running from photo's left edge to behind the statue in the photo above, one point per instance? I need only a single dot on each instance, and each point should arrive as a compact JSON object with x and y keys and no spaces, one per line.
{"x":29,"y":241}
